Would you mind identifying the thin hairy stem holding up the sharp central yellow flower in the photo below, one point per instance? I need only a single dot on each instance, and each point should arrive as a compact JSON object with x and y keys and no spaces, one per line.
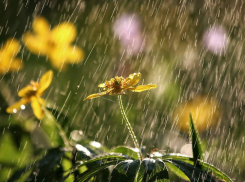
{"x":131,"y":132}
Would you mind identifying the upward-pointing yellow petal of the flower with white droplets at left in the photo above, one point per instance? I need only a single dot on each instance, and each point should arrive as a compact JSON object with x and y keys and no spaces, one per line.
{"x":45,"y":81}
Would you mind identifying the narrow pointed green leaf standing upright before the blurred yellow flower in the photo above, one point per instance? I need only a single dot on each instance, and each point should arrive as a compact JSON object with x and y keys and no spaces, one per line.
{"x":196,"y":143}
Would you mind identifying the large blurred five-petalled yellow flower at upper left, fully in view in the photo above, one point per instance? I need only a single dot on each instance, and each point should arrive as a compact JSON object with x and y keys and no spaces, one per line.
{"x":55,"y":43}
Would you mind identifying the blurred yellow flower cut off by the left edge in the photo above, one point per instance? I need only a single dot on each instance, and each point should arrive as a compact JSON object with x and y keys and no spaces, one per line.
{"x":8,"y":62}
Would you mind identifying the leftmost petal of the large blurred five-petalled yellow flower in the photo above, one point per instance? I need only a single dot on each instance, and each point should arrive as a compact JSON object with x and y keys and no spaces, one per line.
{"x":37,"y":45}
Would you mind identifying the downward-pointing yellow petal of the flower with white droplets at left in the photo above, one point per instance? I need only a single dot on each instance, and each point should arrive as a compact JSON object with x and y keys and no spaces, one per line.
{"x":37,"y":104}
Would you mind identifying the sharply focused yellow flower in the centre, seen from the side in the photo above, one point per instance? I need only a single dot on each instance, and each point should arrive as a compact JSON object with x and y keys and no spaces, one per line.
{"x":119,"y":85}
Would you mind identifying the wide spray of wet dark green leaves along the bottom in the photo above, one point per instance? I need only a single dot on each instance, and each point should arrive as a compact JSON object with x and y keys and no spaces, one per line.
{"x":87,"y":164}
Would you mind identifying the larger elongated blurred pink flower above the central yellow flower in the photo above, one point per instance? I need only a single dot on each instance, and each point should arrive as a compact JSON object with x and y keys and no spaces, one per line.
{"x":128,"y":29}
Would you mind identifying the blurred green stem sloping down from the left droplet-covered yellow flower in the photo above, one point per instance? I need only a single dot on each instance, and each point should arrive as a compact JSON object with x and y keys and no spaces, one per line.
{"x":61,"y":131}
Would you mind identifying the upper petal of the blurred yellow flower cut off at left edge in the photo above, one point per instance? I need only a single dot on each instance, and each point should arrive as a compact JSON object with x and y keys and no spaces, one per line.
{"x":11,"y":47}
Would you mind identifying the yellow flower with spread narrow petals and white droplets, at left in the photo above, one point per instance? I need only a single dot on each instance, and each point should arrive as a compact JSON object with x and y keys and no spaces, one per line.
{"x":32,"y":93}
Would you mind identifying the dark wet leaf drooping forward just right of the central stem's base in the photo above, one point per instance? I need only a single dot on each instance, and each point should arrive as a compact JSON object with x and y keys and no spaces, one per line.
{"x":152,"y":170}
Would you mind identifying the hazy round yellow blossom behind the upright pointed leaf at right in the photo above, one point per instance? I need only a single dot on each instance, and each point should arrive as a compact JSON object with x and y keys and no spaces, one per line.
{"x":203,"y":110}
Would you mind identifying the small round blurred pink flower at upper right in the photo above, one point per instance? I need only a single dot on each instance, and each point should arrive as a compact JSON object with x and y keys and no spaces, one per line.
{"x":216,"y":40}
